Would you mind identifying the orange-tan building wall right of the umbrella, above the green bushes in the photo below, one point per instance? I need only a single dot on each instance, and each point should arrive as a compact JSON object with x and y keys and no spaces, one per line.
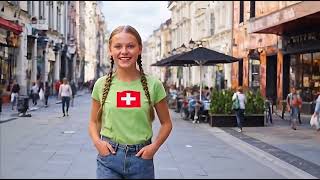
{"x":246,"y":44}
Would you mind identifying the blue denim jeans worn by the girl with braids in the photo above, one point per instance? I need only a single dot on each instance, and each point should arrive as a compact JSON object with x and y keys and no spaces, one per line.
{"x":124,"y":164}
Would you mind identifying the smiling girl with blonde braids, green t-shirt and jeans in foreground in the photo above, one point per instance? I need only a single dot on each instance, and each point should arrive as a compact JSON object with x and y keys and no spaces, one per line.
{"x":123,"y":101}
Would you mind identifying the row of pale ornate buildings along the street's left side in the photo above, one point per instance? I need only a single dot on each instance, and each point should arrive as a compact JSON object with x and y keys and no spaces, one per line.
{"x":45,"y":41}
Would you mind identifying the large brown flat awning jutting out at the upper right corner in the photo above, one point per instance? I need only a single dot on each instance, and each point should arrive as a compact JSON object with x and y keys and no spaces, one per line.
{"x":289,"y":21}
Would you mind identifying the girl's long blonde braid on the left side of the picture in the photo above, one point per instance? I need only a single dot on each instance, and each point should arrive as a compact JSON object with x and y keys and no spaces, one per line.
{"x":106,"y":89}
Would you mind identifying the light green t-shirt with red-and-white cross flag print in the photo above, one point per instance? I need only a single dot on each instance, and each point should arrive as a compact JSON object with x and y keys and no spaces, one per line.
{"x":125,"y":117}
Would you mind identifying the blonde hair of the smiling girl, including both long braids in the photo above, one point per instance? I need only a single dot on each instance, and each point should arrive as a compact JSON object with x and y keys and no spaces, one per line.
{"x":134,"y":32}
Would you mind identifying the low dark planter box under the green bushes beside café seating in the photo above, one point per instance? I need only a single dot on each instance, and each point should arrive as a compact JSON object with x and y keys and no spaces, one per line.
{"x":225,"y":120}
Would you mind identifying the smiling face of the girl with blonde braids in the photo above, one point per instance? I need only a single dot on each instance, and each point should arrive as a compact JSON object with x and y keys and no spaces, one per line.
{"x":124,"y":49}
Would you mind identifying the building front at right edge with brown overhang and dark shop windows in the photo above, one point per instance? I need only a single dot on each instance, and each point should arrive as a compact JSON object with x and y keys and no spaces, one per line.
{"x":297,"y":62}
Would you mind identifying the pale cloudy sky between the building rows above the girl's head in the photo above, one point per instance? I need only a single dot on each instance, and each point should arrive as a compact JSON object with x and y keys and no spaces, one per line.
{"x":144,"y":16}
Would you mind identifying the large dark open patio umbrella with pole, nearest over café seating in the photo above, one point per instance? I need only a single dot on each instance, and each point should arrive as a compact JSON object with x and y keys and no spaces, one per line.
{"x":200,"y":56}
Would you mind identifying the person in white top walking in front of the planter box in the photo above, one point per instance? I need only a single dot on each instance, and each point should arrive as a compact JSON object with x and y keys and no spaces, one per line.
{"x":239,"y":102}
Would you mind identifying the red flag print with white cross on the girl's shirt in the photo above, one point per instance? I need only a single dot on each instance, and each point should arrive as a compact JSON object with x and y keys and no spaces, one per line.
{"x":128,"y":99}
